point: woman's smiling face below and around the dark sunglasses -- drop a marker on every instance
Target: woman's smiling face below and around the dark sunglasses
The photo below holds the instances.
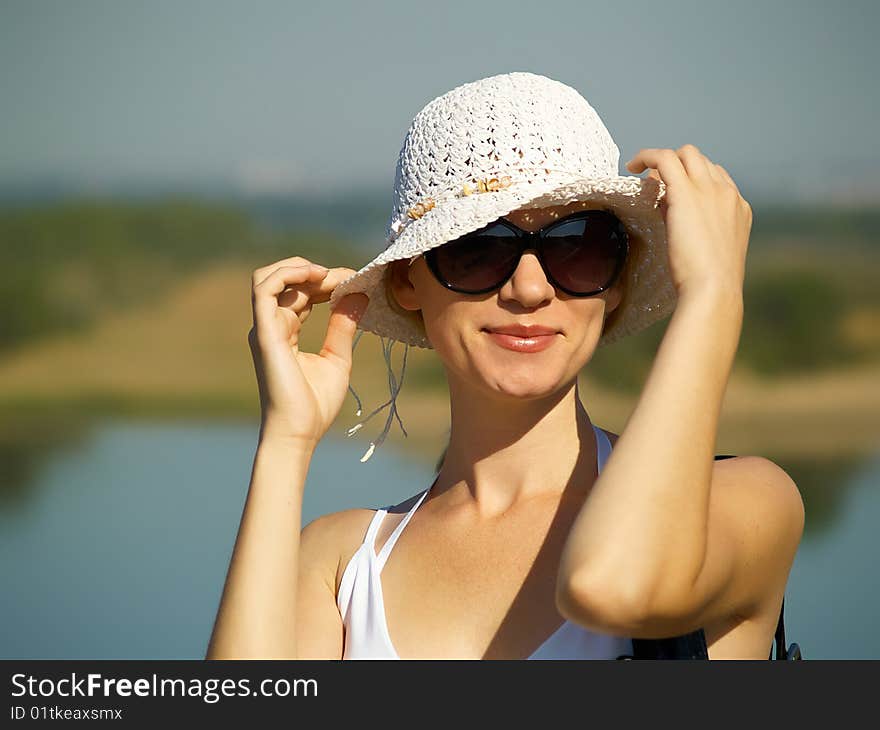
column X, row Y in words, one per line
column 457, row 324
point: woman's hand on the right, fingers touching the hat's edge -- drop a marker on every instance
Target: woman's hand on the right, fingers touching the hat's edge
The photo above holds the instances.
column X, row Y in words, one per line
column 707, row 220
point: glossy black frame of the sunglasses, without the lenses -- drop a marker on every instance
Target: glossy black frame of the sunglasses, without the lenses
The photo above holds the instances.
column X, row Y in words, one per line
column 534, row 241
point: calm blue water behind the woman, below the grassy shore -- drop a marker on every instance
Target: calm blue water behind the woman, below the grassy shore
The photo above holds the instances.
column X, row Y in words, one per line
column 117, row 546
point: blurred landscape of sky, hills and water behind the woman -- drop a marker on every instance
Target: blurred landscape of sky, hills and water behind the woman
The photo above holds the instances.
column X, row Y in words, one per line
column 153, row 154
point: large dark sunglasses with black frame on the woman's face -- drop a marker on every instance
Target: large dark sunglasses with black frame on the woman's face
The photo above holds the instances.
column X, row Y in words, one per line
column 581, row 254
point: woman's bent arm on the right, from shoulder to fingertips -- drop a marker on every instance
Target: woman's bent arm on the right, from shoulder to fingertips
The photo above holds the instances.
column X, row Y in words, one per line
column 668, row 541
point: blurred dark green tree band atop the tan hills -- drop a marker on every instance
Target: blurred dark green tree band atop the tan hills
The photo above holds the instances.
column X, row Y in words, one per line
column 64, row 265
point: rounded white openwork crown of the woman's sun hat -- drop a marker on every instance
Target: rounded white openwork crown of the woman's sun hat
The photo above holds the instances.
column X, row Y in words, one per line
column 518, row 124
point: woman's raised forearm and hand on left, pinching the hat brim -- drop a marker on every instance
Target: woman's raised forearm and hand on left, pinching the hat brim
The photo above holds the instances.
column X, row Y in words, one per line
column 301, row 394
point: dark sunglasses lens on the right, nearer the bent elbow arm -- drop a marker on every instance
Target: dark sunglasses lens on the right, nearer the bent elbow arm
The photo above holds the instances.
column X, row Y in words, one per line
column 584, row 254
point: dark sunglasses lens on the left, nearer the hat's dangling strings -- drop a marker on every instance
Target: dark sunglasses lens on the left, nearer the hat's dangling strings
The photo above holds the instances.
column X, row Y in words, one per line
column 478, row 261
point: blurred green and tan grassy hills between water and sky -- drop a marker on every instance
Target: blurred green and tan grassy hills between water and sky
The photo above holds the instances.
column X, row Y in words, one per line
column 144, row 307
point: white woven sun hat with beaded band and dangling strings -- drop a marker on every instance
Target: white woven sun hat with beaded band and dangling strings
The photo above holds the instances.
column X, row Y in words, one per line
column 492, row 146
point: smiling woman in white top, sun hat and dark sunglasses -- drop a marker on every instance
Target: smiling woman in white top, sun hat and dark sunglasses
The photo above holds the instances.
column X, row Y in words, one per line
column 539, row 538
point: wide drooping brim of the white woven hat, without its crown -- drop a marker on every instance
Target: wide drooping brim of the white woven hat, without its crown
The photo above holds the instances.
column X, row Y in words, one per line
column 648, row 294
